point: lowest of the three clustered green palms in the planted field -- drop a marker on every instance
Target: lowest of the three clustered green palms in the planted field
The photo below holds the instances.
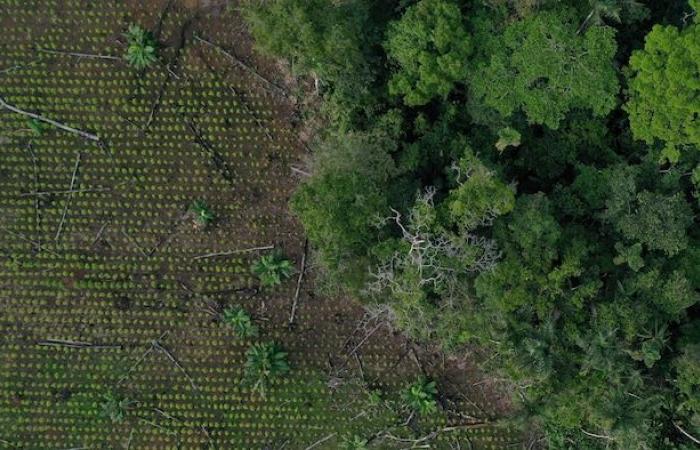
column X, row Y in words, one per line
column 265, row 363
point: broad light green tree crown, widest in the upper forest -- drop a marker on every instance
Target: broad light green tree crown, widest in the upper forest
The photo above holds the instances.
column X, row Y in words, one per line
column 540, row 66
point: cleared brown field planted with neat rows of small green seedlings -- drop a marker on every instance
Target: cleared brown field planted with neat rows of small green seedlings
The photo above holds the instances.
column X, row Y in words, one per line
column 107, row 285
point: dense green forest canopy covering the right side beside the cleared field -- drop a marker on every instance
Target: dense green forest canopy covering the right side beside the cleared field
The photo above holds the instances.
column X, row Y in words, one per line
column 523, row 175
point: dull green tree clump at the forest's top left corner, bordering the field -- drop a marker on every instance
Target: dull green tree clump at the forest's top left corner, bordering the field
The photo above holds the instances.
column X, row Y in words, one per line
column 334, row 42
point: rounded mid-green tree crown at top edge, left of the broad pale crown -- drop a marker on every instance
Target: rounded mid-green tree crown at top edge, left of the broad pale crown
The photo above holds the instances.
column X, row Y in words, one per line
column 431, row 45
